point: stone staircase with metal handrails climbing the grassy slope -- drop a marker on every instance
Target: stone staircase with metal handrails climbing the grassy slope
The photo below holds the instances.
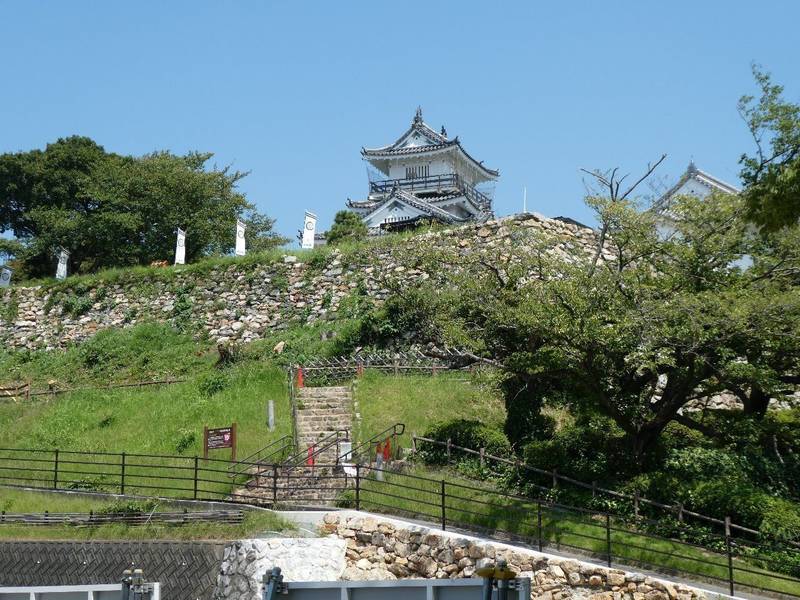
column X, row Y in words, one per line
column 321, row 412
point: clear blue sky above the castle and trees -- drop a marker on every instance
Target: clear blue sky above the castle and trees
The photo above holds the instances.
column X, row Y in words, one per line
column 292, row 90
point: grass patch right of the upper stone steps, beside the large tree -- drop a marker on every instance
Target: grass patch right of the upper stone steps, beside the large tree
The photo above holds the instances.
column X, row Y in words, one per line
column 422, row 400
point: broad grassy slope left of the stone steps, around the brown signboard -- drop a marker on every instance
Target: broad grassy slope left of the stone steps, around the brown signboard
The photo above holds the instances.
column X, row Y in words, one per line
column 159, row 420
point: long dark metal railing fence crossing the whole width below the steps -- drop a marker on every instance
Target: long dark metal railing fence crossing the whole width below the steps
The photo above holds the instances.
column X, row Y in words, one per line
column 735, row 563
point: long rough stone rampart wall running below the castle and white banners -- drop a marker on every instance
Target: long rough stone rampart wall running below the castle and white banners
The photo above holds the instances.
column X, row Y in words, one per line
column 244, row 299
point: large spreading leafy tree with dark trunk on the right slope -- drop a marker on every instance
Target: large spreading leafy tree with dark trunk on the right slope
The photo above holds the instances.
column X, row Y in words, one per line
column 653, row 324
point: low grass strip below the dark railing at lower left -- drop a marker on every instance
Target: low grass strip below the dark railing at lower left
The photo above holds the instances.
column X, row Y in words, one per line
column 255, row 522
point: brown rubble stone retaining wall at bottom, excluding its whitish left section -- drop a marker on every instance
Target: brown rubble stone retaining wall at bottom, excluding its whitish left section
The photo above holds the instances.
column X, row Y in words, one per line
column 384, row 548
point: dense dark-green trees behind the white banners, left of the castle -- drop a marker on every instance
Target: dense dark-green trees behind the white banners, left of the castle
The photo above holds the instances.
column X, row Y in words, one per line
column 110, row 210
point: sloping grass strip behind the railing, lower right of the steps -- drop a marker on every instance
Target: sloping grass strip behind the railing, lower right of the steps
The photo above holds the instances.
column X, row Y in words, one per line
column 418, row 493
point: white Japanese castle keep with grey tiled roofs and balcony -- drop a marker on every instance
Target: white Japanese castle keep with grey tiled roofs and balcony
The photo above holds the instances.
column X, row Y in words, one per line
column 423, row 177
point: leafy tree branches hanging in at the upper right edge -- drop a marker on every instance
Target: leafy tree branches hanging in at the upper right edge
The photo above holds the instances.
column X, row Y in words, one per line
column 772, row 175
